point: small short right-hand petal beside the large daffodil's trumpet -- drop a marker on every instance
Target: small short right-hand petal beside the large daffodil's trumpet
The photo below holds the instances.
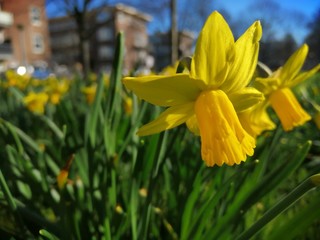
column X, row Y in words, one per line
column 245, row 98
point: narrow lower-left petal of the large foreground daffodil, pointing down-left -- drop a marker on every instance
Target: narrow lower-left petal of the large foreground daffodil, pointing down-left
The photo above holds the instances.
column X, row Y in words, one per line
column 170, row 118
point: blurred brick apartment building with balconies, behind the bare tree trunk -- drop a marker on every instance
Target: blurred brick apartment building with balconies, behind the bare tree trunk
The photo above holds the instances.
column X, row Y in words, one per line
column 108, row 21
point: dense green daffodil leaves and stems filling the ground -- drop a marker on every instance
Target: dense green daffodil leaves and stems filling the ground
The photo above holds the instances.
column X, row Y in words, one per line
column 121, row 186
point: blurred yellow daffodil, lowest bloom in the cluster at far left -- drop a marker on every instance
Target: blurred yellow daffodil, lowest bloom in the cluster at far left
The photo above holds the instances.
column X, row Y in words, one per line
column 35, row 102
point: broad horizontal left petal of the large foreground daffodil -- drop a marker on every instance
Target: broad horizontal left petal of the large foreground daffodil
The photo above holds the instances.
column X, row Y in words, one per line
column 164, row 90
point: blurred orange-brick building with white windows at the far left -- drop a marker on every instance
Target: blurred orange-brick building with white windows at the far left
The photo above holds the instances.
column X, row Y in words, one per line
column 28, row 35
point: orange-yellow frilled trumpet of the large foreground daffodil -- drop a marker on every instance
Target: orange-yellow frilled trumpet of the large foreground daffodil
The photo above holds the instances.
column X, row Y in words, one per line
column 220, row 127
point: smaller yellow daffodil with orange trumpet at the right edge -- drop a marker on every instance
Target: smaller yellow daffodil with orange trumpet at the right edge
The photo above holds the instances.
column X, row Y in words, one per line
column 277, row 89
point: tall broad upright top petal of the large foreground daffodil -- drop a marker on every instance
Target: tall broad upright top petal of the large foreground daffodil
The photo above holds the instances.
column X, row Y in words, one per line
column 211, row 53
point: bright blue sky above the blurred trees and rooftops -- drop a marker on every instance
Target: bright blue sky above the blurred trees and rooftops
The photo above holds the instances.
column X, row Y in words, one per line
column 285, row 15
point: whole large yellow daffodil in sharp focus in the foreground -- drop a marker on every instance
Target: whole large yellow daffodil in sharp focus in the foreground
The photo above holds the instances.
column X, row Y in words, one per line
column 210, row 95
